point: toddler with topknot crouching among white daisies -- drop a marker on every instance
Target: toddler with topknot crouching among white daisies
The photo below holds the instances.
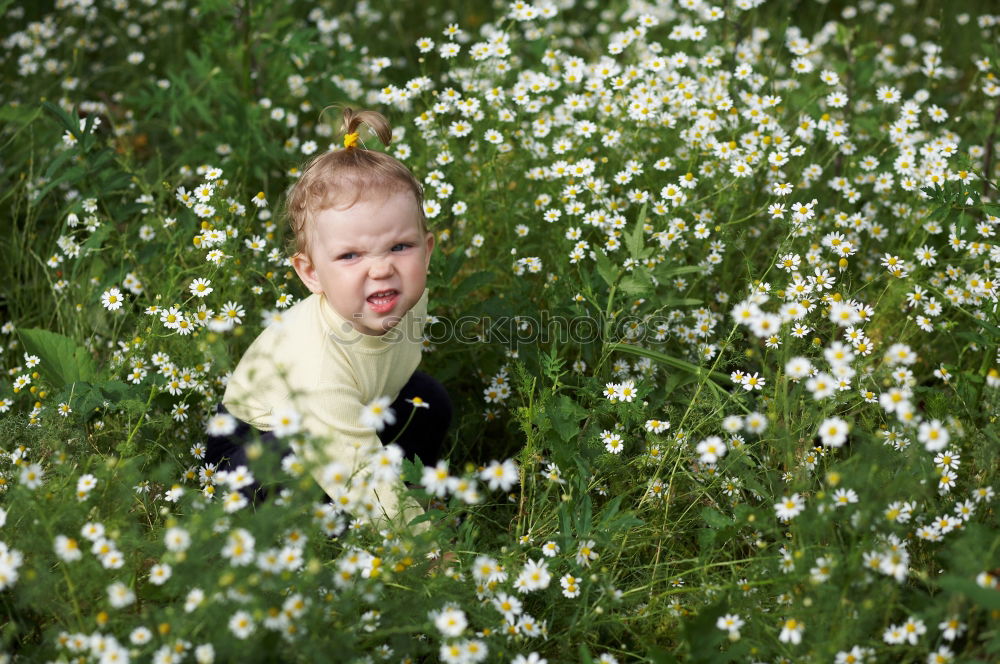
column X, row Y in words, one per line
column 362, row 248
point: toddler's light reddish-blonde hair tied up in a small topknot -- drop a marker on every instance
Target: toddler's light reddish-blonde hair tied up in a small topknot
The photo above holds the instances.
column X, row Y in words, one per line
column 340, row 177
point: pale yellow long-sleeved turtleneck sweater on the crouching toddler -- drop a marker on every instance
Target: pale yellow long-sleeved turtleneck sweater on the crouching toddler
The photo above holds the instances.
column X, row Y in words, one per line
column 316, row 363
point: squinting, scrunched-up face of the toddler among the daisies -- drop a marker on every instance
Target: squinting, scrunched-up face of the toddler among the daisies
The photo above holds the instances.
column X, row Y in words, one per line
column 369, row 261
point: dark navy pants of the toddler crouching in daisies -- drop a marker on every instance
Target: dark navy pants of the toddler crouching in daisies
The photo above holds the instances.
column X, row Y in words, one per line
column 423, row 437
